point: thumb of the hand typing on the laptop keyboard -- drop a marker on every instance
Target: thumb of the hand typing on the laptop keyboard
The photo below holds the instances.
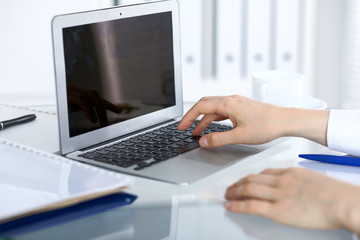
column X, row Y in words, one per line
column 218, row 139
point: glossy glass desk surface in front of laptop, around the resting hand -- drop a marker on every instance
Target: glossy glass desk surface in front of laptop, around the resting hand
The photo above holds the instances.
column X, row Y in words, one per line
column 167, row 211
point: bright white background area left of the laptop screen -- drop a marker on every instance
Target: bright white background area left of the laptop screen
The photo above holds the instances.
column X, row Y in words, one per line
column 26, row 62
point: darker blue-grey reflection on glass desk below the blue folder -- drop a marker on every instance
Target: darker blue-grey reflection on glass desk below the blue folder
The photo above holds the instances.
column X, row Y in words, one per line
column 130, row 223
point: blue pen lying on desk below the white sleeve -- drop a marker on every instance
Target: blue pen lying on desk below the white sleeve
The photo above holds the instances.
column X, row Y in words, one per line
column 333, row 159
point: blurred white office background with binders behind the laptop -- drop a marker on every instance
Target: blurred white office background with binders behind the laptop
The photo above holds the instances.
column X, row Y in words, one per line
column 223, row 43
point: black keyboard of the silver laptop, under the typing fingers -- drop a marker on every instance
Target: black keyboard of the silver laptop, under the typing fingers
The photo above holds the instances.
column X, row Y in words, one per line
column 152, row 147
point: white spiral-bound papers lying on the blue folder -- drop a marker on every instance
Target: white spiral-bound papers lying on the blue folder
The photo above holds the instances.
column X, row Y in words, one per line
column 33, row 181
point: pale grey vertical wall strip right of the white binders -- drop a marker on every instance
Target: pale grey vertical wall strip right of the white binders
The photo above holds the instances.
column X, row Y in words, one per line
column 329, row 51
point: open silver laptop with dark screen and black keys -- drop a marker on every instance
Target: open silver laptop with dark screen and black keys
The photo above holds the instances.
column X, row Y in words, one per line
column 119, row 95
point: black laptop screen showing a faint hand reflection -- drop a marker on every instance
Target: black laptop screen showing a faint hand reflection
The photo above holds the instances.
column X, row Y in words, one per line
column 118, row 70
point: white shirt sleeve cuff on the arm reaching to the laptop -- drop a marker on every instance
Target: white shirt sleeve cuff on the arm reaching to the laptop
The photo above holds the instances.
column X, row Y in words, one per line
column 343, row 133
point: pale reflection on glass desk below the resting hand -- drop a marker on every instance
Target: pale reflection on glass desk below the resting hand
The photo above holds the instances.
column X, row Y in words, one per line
column 208, row 220
